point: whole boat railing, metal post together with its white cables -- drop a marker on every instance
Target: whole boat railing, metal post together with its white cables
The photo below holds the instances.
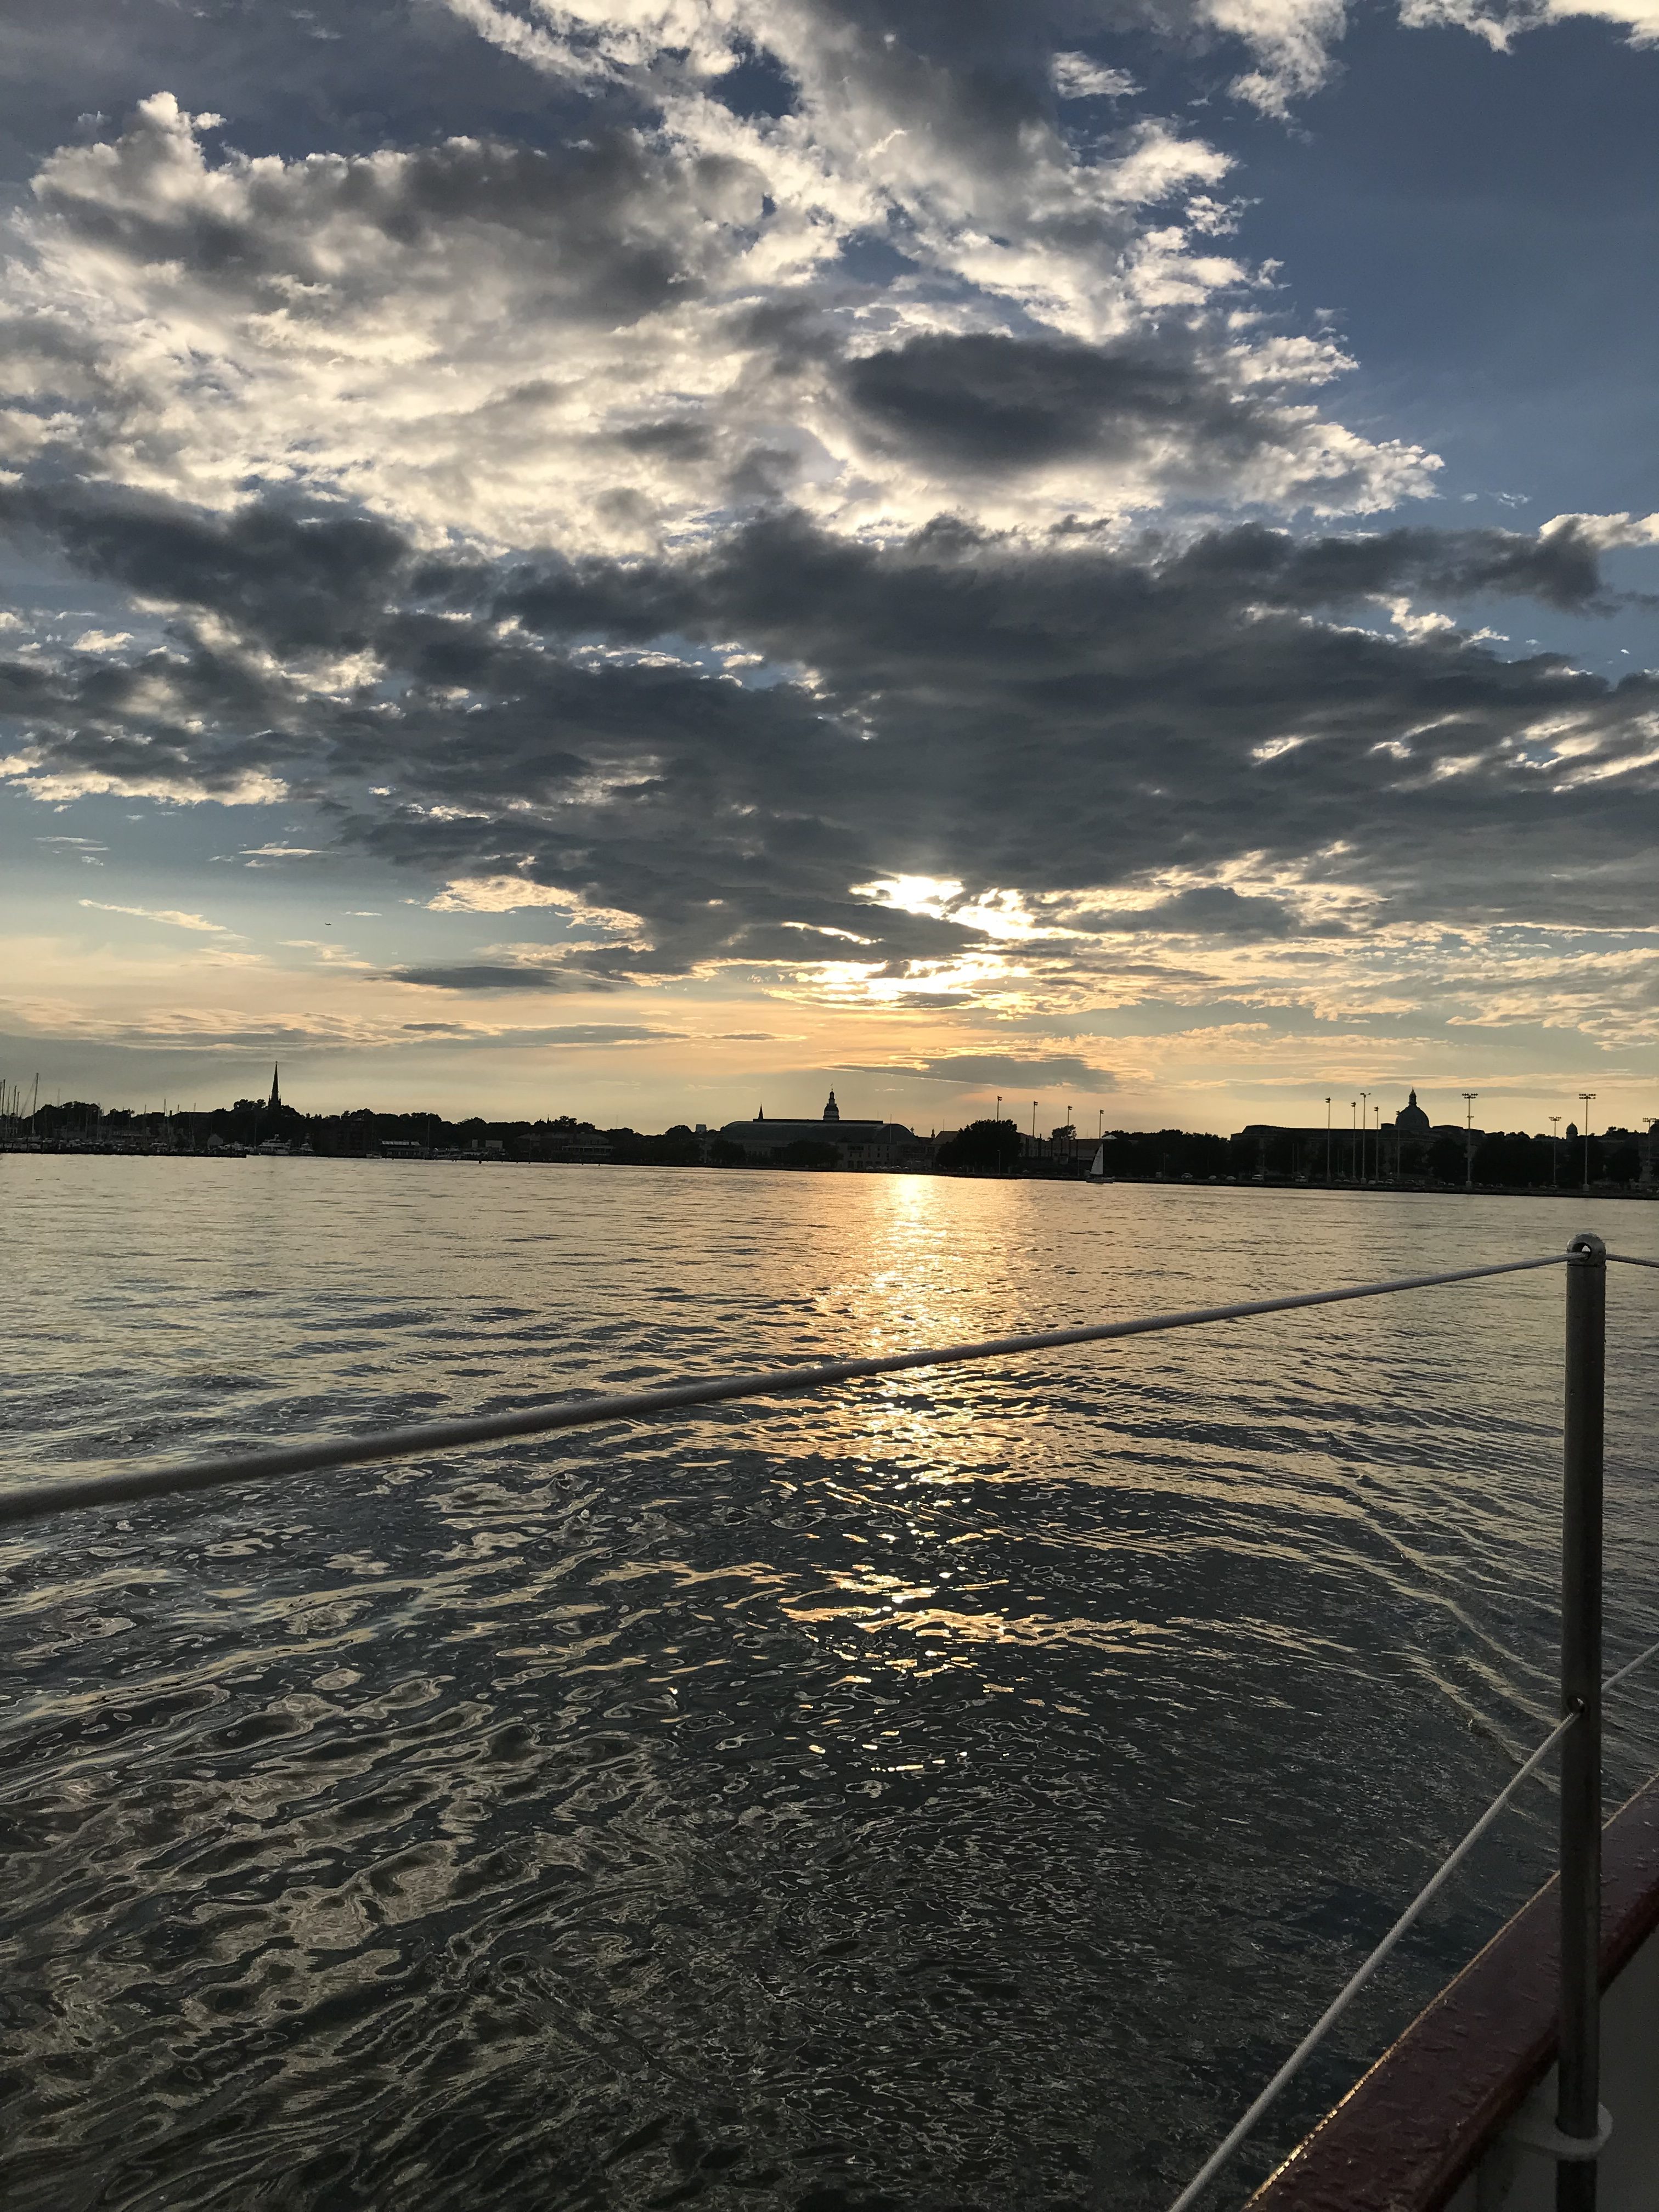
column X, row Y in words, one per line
column 1580, row 2122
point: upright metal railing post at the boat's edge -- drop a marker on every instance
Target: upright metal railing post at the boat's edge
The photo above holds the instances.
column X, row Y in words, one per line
column 1580, row 2036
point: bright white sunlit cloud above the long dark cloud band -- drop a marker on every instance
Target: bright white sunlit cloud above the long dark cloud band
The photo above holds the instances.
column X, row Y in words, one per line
column 625, row 335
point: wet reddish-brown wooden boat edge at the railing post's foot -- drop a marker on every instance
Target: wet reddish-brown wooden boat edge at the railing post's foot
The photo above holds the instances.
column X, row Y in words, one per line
column 1412, row 2129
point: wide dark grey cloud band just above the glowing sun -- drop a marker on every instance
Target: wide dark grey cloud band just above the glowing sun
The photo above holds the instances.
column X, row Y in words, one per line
column 979, row 711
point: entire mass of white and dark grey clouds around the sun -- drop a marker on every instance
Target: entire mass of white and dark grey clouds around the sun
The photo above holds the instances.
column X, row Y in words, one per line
column 789, row 452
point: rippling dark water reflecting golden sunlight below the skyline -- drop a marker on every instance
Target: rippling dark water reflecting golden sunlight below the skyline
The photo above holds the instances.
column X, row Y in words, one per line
column 952, row 1793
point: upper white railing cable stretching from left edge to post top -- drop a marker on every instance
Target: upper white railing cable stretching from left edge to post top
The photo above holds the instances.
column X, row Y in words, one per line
column 34, row 1501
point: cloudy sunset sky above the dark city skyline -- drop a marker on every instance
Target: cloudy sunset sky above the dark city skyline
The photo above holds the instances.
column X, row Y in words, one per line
column 649, row 559
